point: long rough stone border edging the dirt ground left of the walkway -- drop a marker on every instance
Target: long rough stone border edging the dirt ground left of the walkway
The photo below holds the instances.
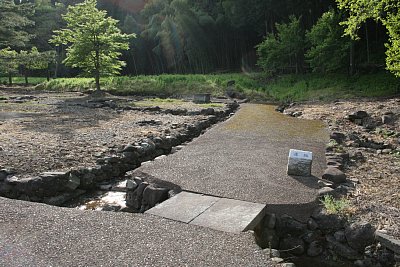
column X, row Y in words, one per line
column 56, row 188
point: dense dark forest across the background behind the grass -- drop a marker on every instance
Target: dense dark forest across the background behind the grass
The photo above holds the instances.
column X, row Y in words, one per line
column 204, row 36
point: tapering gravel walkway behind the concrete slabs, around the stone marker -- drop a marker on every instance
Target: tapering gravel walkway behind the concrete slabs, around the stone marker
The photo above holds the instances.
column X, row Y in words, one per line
column 245, row 159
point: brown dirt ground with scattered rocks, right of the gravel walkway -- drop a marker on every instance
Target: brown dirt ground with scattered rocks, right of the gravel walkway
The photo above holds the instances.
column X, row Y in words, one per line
column 377, row 195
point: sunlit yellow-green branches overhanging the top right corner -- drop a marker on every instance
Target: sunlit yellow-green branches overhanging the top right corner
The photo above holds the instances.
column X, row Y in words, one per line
column 384, row 11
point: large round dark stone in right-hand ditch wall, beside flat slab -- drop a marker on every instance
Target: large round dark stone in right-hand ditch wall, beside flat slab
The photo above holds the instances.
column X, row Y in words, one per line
column 359, row 235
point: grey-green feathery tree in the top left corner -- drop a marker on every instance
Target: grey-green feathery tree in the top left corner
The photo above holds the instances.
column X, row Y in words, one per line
column 14, row 21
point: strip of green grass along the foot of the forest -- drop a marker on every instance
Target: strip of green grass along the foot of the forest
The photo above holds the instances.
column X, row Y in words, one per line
column 256, row 87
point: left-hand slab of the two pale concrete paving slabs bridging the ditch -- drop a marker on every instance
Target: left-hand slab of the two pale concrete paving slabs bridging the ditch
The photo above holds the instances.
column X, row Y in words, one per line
column 183, row 207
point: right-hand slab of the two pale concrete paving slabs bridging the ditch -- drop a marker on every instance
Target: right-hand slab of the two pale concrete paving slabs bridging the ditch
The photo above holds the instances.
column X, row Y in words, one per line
column 231, row 215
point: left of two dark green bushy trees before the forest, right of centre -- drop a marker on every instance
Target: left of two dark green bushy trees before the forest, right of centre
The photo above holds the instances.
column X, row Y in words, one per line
column 284, row 51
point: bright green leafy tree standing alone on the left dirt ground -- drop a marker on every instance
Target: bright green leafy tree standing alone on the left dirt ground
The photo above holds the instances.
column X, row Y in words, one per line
column 94, row 40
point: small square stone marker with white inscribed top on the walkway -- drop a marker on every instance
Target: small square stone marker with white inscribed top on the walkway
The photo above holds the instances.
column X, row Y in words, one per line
column 299, row 163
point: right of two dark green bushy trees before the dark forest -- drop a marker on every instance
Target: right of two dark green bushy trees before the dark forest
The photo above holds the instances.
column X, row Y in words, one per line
column 329, row 51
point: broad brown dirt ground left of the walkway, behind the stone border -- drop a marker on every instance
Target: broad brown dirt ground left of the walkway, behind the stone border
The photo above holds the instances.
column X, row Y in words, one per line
column 43, row 131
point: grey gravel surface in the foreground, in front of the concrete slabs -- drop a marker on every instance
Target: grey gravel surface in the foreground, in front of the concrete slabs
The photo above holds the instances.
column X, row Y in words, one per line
column 35, row 234
